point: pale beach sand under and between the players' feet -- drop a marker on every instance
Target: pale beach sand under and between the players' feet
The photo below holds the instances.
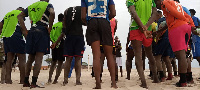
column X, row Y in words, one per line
column 89, row 82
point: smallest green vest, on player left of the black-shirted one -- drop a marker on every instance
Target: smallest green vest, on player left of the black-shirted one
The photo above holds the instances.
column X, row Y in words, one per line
column 56, row 31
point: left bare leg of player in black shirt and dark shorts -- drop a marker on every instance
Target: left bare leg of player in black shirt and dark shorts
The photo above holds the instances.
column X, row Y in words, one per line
column 67, row 66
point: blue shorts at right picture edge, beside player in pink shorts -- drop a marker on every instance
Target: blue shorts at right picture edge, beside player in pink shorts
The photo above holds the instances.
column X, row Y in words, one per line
column 196, row 49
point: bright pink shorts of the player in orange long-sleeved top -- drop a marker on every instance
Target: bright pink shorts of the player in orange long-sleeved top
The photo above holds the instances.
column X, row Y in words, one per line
column 179, row 37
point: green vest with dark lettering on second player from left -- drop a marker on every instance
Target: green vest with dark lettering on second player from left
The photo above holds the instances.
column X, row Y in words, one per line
column 36, row 11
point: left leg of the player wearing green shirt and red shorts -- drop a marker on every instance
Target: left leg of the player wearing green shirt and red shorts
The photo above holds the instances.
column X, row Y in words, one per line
column 138, row 61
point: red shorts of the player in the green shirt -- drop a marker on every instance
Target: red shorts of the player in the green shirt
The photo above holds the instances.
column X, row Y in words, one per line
column 138, row 35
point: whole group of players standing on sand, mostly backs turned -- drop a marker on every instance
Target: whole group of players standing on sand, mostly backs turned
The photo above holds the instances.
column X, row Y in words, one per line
column 160, row 39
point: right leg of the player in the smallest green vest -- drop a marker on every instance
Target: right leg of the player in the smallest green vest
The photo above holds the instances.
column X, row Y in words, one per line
column 58, row 71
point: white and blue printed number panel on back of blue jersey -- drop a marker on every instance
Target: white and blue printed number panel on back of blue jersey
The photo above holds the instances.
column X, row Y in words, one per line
column 97, row 8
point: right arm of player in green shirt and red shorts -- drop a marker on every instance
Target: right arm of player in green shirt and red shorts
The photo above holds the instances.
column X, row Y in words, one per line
column 152, row 18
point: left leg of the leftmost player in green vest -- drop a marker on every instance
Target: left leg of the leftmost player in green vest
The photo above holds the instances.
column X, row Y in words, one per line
column 10, row 58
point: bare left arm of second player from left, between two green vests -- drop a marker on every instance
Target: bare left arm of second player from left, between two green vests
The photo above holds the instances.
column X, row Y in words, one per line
column 21, row 17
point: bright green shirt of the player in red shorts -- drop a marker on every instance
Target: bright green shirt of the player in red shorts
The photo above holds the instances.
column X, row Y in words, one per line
column 143, row 10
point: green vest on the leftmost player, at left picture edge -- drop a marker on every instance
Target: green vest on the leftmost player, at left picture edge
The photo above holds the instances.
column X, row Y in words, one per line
column 10, row 23
